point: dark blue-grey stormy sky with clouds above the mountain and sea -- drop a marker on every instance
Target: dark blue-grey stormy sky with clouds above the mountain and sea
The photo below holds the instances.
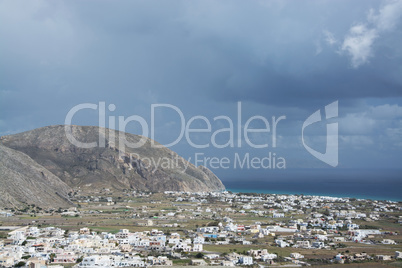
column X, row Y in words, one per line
column 207, row 58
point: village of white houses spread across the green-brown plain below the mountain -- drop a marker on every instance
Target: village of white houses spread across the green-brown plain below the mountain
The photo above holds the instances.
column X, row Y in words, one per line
column 138, row 229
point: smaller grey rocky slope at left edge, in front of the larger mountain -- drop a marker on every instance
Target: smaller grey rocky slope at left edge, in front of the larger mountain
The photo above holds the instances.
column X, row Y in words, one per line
column 22, row 180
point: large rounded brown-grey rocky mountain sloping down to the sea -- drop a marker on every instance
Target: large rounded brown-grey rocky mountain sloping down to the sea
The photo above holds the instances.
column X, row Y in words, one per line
column 143, row 168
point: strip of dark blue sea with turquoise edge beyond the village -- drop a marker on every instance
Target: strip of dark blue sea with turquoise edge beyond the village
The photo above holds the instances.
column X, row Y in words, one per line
column 374, row 184
